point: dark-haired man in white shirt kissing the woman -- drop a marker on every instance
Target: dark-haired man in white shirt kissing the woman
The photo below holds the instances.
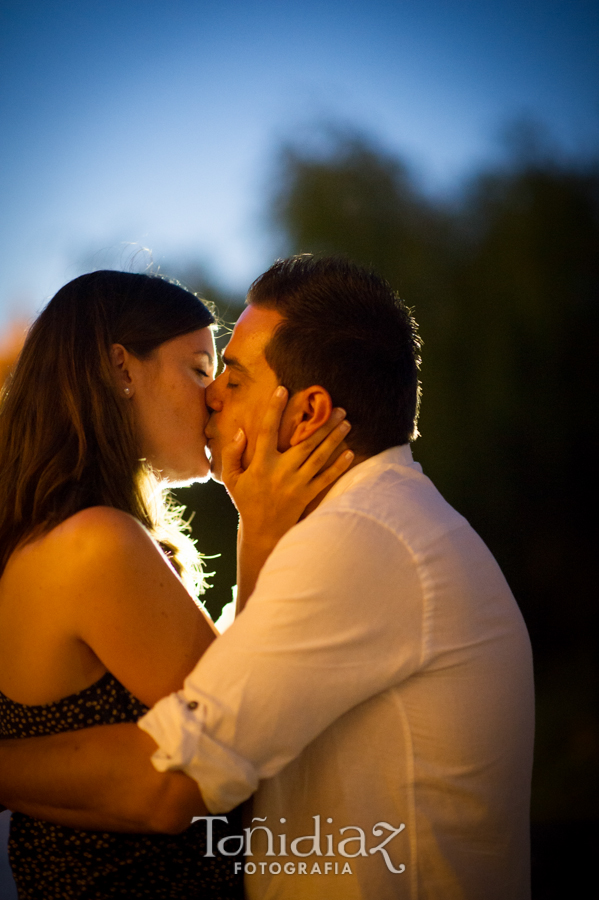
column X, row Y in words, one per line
column 375, row 695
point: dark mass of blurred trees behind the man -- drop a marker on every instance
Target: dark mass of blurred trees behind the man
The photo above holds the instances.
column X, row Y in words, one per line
column 505, row 286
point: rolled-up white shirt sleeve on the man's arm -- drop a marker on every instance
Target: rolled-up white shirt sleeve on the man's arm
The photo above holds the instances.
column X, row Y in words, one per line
column 316, row 638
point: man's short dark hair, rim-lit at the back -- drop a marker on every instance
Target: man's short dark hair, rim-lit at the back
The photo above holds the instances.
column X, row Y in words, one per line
column 345, row 329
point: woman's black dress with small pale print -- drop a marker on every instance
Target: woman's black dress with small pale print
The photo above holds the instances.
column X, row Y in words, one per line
column 52, row 861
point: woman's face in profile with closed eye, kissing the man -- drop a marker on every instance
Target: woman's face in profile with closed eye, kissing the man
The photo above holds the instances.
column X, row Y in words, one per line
column 166, row 391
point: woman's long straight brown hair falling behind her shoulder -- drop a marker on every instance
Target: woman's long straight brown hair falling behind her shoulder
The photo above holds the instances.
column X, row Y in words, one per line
column 67, row 440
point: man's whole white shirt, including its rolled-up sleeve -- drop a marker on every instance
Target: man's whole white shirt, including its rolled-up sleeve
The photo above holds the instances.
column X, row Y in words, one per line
column 380, row 676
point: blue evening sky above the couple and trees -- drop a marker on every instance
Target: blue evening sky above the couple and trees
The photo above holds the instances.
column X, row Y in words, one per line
column 157, row 124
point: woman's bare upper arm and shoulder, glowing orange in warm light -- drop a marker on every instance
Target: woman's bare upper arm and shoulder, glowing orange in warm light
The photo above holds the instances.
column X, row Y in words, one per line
column 109, row 586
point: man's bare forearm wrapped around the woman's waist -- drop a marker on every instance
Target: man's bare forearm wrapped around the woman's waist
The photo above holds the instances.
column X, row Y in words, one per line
column 97, row 778
